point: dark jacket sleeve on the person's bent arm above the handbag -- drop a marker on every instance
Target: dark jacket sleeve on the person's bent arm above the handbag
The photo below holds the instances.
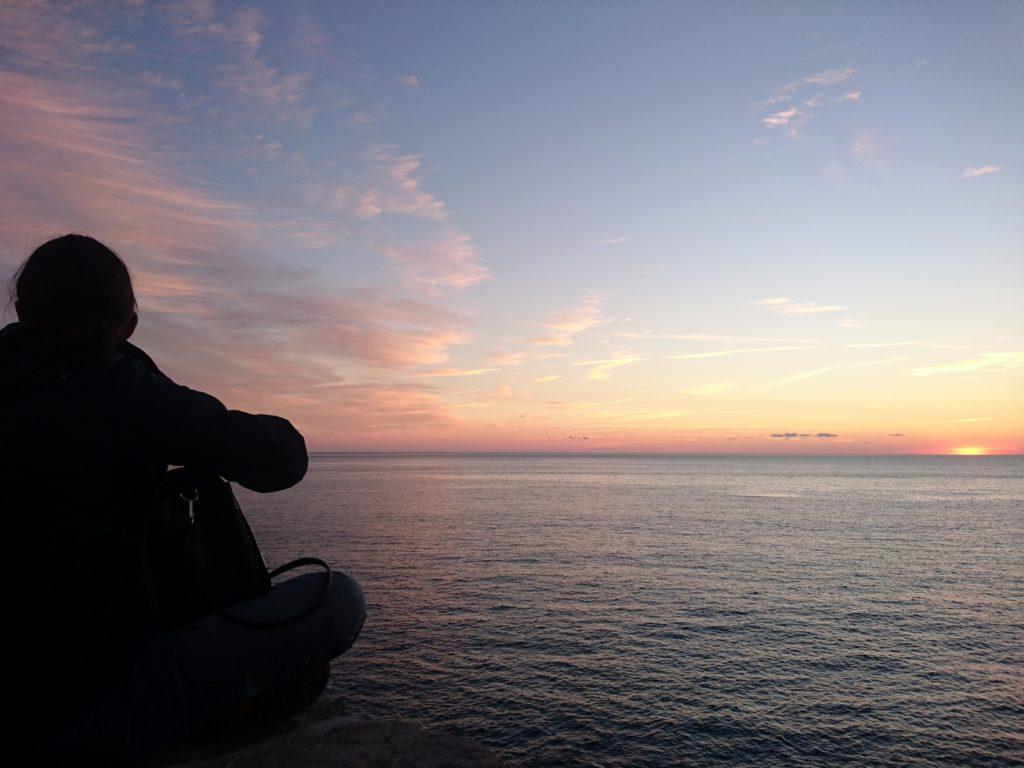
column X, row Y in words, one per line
column 173, row 424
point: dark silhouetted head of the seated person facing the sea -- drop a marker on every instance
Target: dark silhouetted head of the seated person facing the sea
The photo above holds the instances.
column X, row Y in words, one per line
column 80, row 290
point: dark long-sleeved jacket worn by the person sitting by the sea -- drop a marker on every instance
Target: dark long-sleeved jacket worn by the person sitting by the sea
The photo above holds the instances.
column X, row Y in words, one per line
column 80, row 454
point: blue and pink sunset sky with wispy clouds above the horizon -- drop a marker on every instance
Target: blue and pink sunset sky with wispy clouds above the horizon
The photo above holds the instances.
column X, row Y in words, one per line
column 739, row 228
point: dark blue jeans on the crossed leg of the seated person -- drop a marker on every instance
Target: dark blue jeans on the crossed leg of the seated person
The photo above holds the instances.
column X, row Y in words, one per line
column 203, row 672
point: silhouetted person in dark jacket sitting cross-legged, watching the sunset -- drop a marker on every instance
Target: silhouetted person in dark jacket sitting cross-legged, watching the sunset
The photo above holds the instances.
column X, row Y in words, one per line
column 90, row 424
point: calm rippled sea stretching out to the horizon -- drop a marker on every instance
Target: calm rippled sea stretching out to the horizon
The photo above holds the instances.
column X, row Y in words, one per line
column 680, row 611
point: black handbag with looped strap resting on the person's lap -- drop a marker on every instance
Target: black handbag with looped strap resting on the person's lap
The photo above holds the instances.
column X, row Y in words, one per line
column 200, row 557
